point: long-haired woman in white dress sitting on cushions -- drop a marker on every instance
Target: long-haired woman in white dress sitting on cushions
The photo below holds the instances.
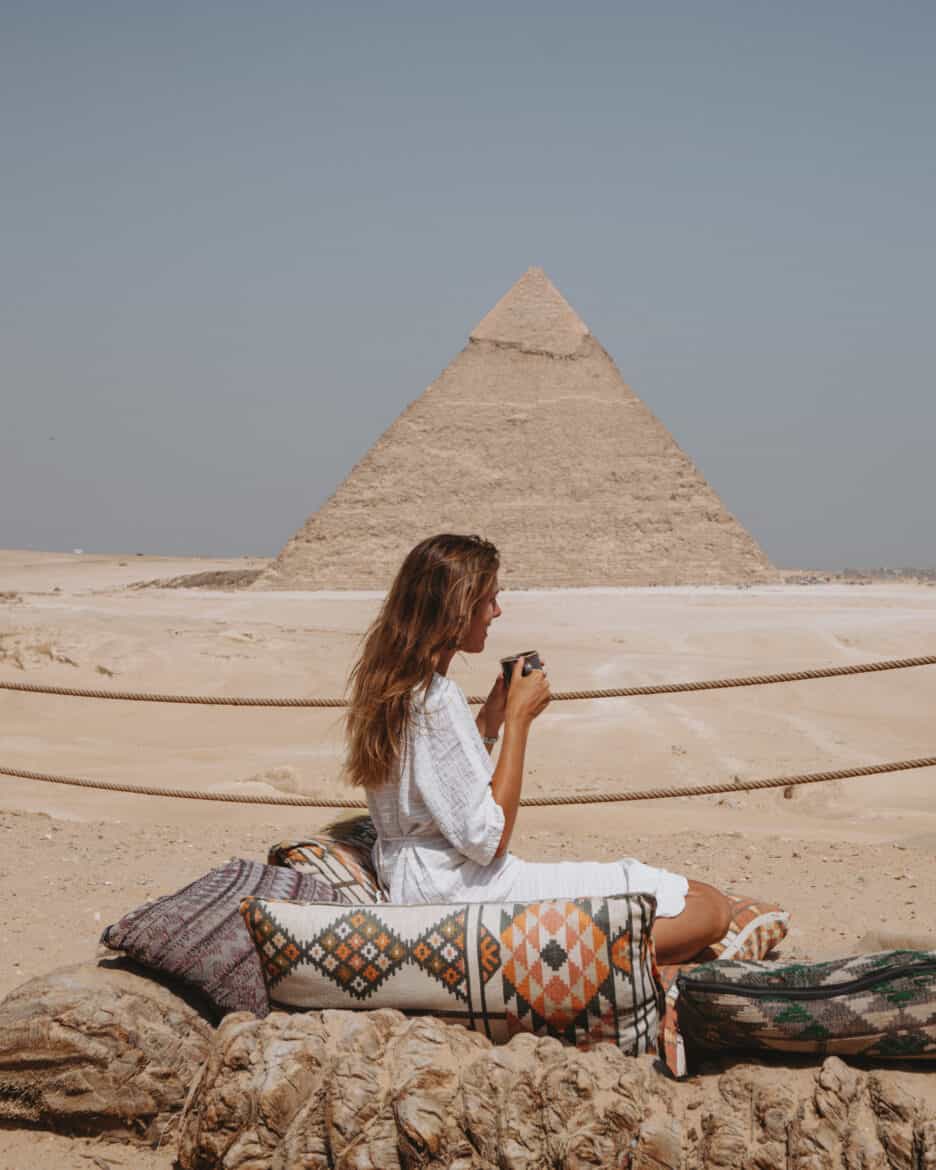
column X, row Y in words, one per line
column 444, row 814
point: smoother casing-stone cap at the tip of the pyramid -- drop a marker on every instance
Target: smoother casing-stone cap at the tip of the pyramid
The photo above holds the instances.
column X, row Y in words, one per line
column 534, row 316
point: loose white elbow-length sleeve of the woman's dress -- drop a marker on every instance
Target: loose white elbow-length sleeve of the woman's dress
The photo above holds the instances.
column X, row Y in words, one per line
column 453, row 776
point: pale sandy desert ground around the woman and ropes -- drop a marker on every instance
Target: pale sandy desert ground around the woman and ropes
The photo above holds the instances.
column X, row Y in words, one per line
column 852, row 861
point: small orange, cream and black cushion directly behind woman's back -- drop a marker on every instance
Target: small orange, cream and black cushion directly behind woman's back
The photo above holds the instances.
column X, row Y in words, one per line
column 341, row 856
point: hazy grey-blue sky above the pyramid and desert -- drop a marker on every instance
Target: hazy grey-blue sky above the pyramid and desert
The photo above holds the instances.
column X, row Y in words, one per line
column 238, row 239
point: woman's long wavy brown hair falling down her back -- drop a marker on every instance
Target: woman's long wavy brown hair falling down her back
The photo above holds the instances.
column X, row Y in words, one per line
column 424, row 617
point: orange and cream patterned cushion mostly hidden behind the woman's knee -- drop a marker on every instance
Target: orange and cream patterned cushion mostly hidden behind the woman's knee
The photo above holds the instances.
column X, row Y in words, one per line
column 755, row 930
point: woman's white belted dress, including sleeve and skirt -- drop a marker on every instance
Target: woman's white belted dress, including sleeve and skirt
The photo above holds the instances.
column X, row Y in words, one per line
column 439, row 825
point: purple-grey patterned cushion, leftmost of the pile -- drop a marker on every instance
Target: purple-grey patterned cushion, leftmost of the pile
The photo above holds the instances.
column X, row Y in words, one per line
column 197, row 934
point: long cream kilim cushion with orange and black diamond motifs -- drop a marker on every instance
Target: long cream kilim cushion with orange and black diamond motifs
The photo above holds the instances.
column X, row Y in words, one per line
column 579, row 971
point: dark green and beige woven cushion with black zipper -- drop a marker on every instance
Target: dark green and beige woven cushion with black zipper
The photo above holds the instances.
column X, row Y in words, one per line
column 872, row 1006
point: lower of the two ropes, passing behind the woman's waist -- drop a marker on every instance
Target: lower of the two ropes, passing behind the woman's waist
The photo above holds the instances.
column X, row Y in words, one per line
column 664, row 794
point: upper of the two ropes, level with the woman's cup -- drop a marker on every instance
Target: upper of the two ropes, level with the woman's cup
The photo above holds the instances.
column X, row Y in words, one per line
column 667, row 689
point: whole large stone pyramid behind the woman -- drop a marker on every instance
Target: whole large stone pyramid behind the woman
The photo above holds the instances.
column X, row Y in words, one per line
column 532, row 439
